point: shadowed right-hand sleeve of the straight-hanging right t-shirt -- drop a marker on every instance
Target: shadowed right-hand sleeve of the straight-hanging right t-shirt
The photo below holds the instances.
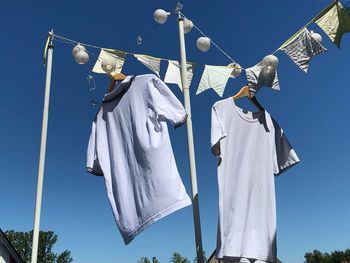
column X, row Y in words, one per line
column 284, row 154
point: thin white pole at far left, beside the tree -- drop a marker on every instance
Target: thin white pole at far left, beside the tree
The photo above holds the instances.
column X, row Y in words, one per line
column 39, row 189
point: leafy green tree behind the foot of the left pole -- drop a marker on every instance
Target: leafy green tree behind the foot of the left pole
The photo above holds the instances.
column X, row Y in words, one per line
column 22, row 242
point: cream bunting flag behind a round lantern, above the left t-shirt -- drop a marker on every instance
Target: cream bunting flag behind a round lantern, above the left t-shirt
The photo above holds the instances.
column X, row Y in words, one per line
column 118, row 56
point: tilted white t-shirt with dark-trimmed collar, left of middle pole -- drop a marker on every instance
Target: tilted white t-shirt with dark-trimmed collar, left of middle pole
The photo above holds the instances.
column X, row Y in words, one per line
column 130, row 146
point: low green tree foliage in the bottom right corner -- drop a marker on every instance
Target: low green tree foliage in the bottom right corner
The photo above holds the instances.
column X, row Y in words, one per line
column 334, row 257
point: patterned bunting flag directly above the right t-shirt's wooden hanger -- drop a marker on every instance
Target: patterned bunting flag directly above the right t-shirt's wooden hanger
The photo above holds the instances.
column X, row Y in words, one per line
column 261, row 76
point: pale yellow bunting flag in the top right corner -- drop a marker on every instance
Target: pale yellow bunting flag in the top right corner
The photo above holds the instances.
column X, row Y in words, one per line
column 334, row 22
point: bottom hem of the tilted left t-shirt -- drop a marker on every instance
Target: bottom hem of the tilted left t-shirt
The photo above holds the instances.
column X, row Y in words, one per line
column 156, row 217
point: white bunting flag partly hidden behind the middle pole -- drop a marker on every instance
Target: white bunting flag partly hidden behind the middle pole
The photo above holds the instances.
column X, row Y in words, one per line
column 173, row 74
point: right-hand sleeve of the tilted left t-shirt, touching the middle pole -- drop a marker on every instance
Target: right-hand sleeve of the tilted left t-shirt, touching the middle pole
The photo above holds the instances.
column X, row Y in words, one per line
column 167, row 105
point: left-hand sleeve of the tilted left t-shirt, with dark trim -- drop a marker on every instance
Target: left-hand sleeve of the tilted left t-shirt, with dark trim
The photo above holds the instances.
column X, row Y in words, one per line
column 92, row 162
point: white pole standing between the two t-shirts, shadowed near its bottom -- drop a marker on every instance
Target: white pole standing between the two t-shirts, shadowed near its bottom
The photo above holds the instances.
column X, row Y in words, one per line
column 186, row 91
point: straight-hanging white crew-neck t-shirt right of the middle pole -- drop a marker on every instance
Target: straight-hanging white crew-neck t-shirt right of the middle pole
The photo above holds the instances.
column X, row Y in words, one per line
column 251, row 148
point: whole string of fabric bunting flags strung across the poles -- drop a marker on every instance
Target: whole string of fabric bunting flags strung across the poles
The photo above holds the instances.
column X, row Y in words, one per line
column 334, row 20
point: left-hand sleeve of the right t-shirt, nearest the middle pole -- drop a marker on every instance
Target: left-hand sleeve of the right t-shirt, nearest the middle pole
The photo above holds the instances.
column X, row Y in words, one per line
column 217, row 131
